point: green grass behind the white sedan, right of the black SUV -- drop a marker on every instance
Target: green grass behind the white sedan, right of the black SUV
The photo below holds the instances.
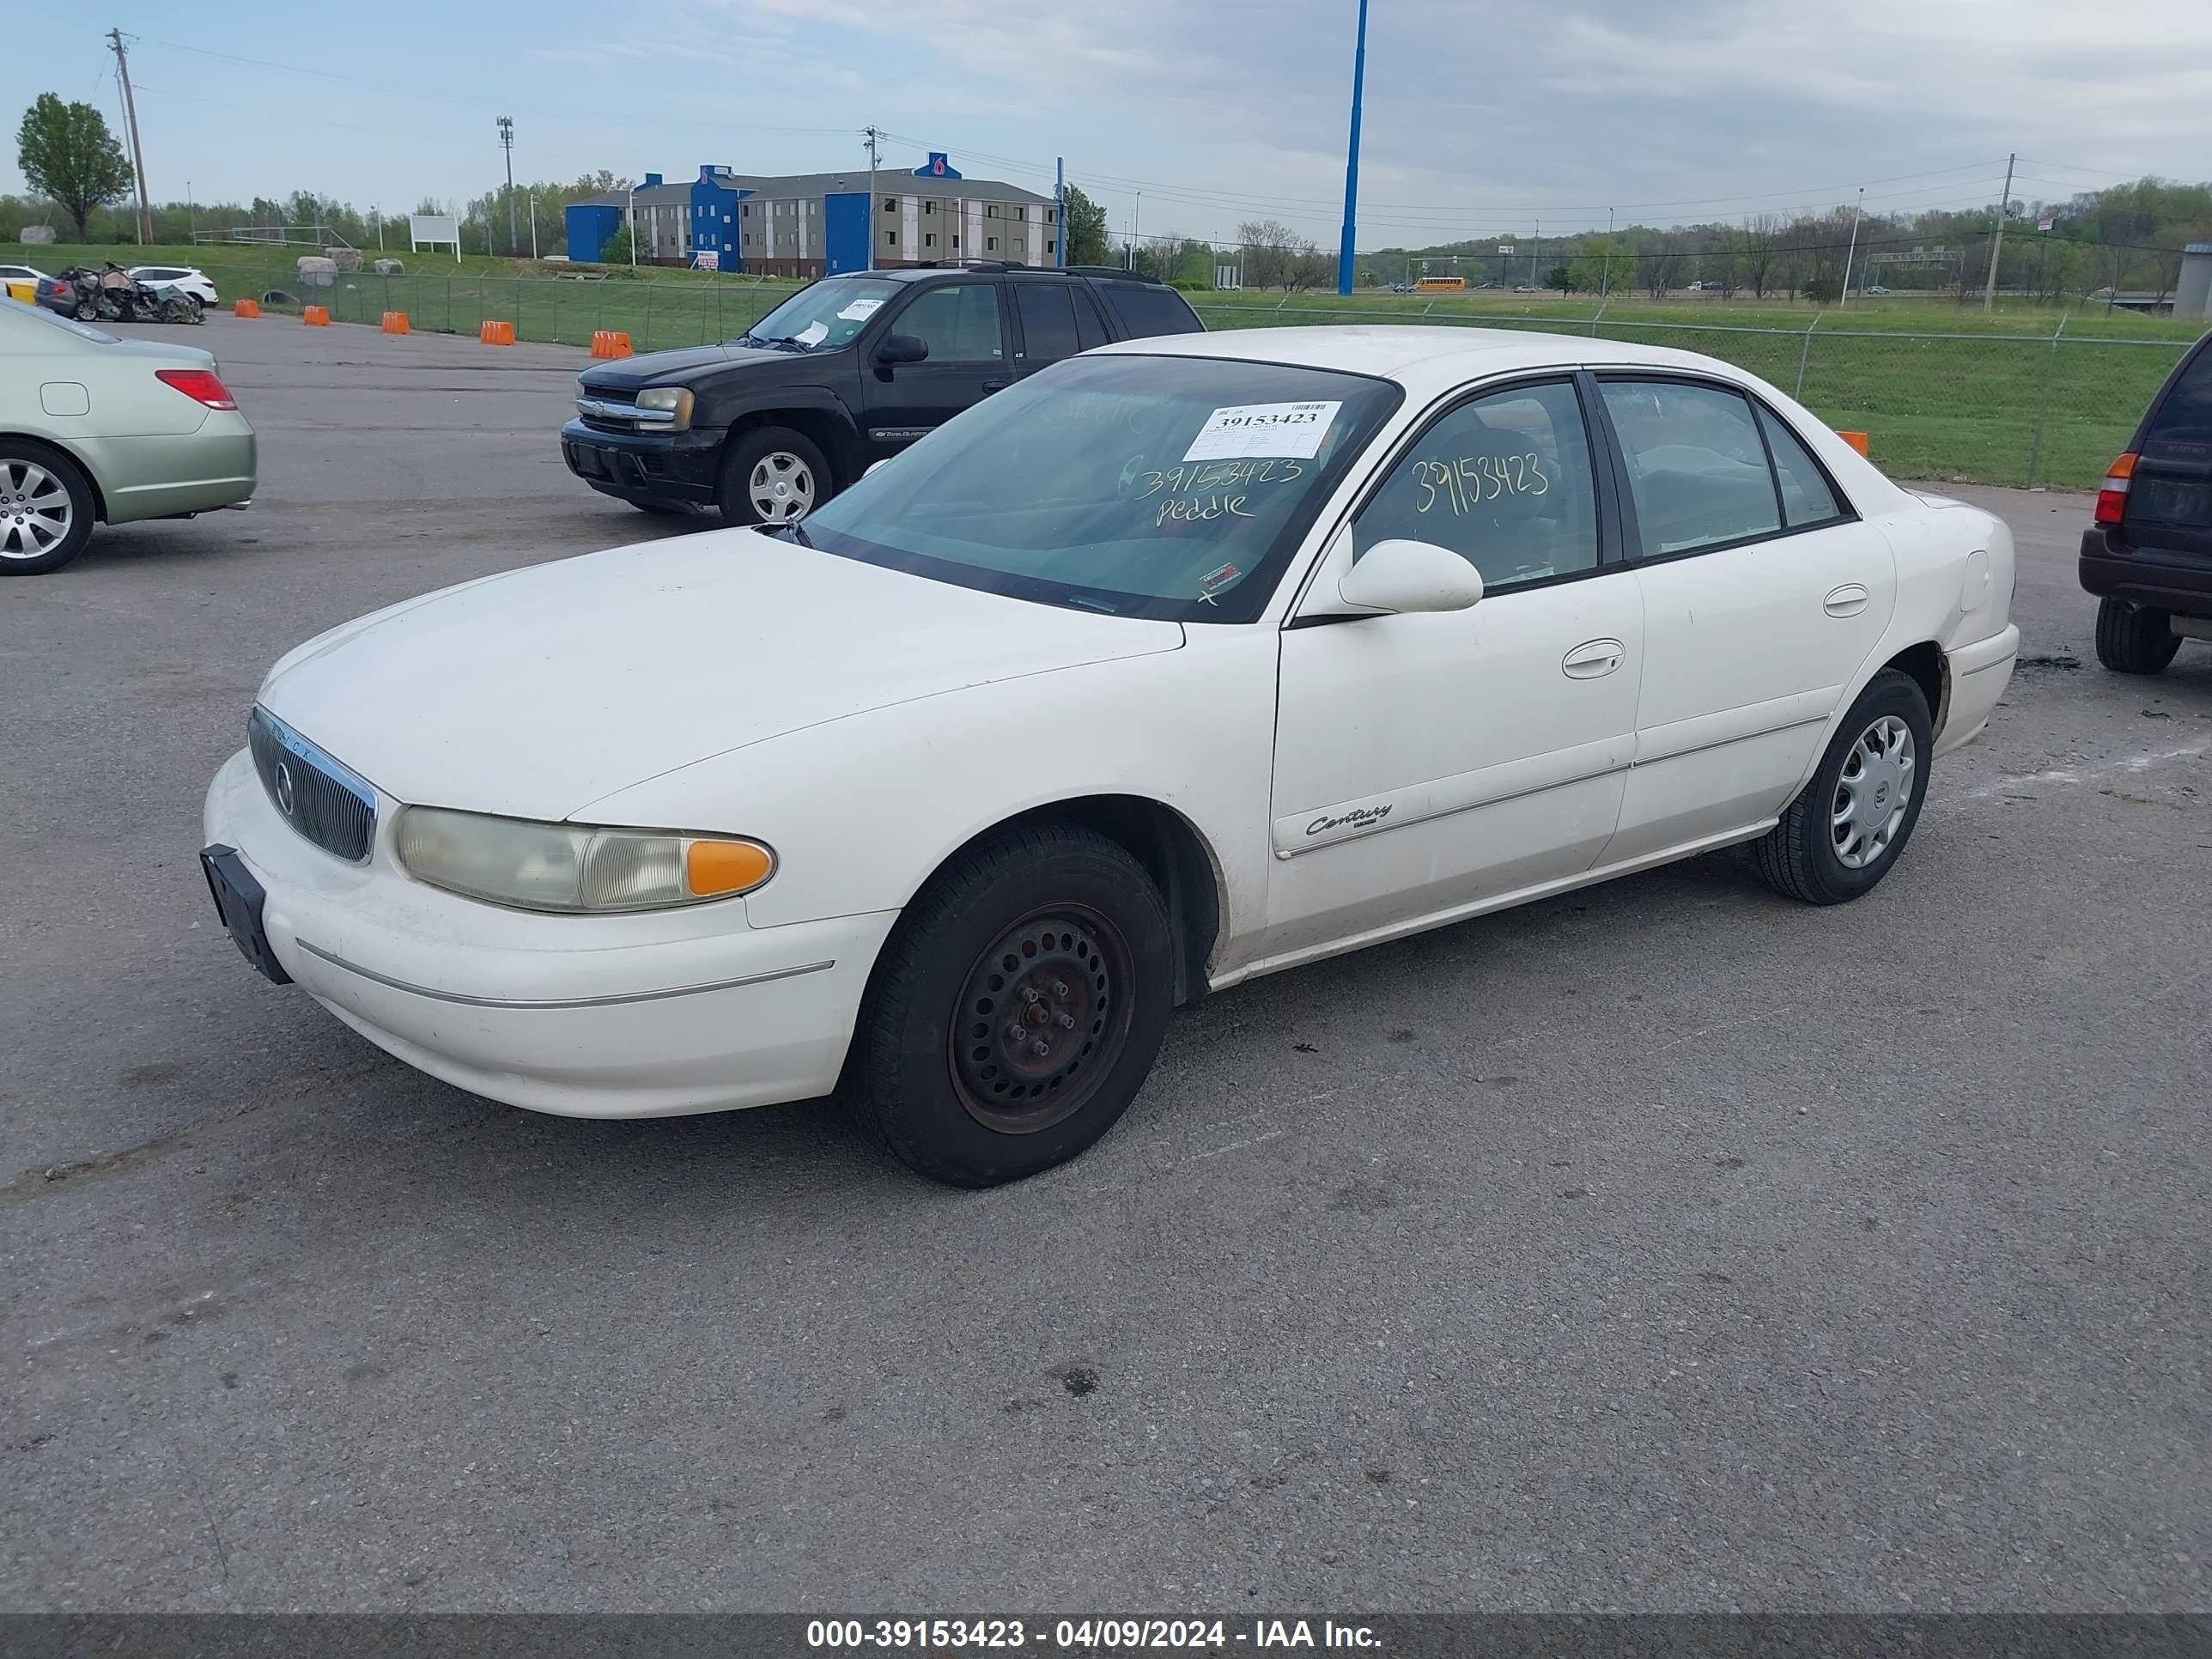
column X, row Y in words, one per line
column 1970, row 408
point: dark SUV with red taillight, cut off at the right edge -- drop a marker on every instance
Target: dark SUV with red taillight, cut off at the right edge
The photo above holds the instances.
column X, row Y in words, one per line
column 2149, row 556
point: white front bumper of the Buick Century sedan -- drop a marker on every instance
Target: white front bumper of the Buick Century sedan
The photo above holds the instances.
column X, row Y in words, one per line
column 583, row 1016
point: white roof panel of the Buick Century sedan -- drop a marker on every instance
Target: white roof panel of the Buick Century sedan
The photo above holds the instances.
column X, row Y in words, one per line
column 1421, row 357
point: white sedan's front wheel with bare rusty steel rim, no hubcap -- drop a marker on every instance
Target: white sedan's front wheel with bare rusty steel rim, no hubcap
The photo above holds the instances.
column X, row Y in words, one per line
column 943, row 1054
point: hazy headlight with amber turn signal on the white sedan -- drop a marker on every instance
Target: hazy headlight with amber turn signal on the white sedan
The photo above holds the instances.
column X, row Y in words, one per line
column 576, row 866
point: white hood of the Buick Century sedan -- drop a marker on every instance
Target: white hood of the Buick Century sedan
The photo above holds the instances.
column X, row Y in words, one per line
column 541, row 691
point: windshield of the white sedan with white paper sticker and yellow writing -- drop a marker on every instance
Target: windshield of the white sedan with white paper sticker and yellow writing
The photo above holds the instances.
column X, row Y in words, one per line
column 1136, row 486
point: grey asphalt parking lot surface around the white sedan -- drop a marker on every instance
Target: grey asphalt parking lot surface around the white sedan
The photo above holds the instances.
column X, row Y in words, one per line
column 1662, row 1246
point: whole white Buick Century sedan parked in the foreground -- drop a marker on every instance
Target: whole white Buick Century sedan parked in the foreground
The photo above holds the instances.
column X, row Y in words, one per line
column 1173, row 665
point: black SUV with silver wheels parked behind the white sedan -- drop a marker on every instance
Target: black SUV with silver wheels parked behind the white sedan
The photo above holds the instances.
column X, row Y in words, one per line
column 839, row 377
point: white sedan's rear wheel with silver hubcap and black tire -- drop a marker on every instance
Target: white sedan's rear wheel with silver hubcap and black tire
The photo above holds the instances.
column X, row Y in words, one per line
column 1802, row 857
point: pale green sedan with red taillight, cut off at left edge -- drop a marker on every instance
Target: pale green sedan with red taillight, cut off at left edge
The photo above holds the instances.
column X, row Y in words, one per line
column 107, row 430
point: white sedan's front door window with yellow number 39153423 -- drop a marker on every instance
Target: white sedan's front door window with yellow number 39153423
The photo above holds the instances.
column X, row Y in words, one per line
column 1503, row 481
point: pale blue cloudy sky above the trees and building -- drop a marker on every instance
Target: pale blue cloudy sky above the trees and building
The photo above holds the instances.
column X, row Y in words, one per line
column 1479, row 116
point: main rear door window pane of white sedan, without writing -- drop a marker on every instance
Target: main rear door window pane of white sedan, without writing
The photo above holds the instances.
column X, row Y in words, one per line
column 1695, row 466
